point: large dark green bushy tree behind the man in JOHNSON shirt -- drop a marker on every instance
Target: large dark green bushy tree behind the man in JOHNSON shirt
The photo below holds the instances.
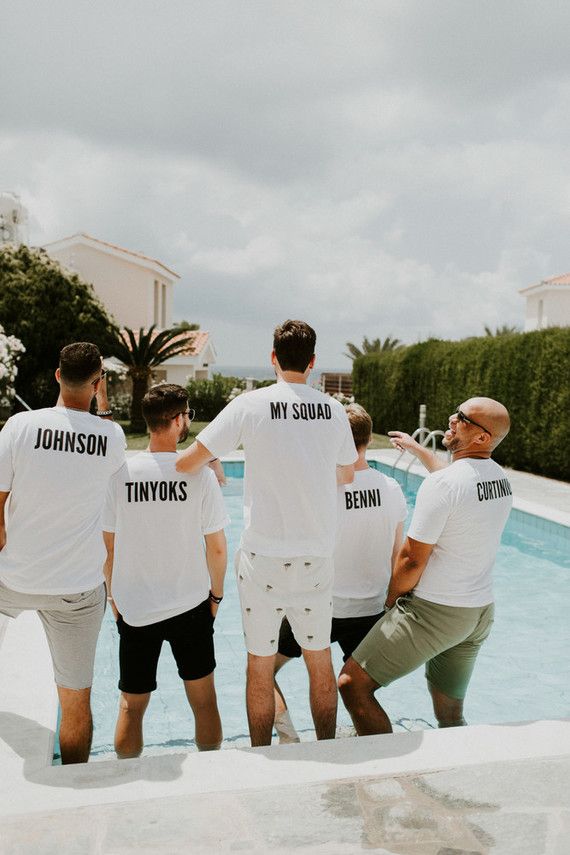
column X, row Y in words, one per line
column 47, row 308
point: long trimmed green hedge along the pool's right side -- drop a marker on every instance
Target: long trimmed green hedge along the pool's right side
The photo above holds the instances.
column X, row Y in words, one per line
column 528, row 372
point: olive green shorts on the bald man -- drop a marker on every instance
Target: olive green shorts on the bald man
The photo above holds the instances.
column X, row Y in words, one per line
column 415, row 632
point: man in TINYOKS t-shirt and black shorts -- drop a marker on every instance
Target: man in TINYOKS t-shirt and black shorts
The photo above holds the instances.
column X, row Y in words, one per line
column 165, row 571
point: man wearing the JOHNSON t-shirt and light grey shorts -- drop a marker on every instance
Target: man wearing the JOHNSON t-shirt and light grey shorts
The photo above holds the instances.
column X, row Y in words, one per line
column 55, row 464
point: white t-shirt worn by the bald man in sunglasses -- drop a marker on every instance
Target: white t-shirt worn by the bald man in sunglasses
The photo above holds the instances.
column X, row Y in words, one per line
column 463, row 510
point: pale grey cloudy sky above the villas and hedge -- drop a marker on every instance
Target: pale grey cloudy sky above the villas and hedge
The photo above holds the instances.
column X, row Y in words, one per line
column 393, row 167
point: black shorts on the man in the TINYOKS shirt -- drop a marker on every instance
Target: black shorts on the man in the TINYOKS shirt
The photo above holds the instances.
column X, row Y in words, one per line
column 191, row 637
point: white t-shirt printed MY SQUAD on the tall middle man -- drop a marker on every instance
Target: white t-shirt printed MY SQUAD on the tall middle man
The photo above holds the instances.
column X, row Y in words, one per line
column 293, row 437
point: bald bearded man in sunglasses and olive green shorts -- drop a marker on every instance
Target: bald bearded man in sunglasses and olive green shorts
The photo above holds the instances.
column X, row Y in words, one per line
column 439, row 607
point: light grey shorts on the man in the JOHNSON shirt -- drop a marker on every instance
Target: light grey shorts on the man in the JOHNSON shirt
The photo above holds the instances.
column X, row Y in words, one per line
column 71, row 623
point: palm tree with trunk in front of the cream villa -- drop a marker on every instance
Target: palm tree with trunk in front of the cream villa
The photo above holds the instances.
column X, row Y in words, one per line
column 141, row 352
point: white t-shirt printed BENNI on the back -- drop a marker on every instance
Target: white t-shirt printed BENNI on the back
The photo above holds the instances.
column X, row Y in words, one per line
column 369, row 511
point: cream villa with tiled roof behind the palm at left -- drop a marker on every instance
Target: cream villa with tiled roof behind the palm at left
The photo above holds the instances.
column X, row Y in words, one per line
column 138, row 291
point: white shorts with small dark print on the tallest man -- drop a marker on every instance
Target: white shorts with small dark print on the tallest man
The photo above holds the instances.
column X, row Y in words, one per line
column 271, row 588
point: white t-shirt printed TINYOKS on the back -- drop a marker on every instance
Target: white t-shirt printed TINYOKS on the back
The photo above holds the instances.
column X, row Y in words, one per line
column 159, row 517
